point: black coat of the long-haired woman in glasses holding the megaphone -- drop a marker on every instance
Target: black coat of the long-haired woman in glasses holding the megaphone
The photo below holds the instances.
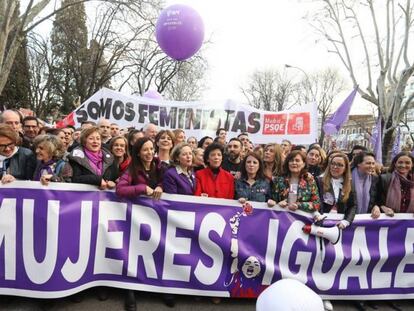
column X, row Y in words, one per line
column 347, row 208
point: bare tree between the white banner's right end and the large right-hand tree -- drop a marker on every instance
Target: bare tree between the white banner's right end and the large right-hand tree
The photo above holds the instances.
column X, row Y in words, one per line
column 322, row 87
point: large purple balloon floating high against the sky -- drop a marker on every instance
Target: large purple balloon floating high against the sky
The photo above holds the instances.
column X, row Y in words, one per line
column 180, row 31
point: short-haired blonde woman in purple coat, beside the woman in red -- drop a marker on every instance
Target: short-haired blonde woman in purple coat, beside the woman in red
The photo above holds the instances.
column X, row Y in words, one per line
column 179, row 178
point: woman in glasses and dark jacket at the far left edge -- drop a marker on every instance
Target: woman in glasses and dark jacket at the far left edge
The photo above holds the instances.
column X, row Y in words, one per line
column 15, row 162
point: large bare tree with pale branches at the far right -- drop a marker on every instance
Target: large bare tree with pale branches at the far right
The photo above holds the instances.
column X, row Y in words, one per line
column 373, row 35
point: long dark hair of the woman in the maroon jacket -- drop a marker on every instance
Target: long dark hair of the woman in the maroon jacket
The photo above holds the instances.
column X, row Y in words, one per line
column 136, row 163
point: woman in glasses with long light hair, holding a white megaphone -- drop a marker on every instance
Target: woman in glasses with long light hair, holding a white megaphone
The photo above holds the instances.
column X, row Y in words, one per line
column 335, row 190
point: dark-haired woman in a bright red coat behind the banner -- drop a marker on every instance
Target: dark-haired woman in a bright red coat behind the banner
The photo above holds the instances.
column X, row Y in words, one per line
column 213, row 181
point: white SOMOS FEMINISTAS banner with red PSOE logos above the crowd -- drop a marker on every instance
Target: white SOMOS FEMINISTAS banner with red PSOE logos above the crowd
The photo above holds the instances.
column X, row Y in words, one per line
column 200, row 118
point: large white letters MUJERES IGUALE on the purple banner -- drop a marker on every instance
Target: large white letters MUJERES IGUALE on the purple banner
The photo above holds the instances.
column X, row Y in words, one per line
column 360, row 266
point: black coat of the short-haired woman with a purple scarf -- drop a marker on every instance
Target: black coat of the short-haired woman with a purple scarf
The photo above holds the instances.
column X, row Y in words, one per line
column 83, row 173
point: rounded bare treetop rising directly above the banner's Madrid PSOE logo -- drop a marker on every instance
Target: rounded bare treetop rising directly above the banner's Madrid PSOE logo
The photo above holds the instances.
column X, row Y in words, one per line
column 270, row 90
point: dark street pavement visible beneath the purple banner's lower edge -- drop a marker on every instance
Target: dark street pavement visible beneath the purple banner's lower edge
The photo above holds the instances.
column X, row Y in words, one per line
column 153, row 302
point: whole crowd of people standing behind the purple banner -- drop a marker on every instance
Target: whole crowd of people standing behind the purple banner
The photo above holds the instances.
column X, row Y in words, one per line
column 150, row 162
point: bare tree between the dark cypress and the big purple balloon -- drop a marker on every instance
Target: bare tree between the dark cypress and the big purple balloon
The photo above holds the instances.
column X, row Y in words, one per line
column 110, row 50
